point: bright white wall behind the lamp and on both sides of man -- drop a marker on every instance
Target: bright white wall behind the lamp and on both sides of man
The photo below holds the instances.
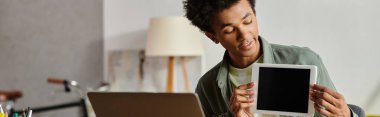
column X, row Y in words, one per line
column 342, row 32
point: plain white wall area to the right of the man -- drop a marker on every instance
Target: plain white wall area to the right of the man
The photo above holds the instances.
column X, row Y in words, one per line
column 344, row 33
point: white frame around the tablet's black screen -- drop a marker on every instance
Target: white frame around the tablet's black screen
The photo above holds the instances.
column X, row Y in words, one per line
column 255, row 79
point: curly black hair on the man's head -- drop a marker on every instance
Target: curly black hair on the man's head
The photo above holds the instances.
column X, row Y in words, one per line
column 202, row 12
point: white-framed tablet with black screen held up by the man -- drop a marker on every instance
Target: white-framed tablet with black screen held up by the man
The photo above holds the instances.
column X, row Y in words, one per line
column 283, row 89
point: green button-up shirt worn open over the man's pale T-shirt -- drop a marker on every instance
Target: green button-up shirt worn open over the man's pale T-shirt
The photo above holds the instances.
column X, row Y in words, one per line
column 214, row 88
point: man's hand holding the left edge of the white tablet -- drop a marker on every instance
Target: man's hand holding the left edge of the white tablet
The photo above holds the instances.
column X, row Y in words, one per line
column 242, row 100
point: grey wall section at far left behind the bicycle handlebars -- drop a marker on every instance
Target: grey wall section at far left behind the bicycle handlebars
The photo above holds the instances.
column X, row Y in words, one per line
column 43, row 38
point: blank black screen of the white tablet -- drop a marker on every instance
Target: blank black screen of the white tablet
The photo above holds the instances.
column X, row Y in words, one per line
column 283, row 89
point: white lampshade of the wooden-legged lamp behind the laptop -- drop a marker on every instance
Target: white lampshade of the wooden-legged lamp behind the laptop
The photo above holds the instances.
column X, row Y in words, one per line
column 173, row 36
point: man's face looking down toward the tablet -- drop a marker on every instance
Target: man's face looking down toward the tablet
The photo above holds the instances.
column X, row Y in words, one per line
column 237, row 31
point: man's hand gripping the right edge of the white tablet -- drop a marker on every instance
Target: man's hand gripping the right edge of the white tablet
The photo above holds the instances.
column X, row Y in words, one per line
column 329, row 102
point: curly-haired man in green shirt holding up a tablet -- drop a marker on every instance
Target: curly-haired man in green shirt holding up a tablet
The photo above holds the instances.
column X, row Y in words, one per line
column 224, row 90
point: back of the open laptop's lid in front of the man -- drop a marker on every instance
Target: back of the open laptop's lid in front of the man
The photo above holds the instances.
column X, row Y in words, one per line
column 128, row 104
